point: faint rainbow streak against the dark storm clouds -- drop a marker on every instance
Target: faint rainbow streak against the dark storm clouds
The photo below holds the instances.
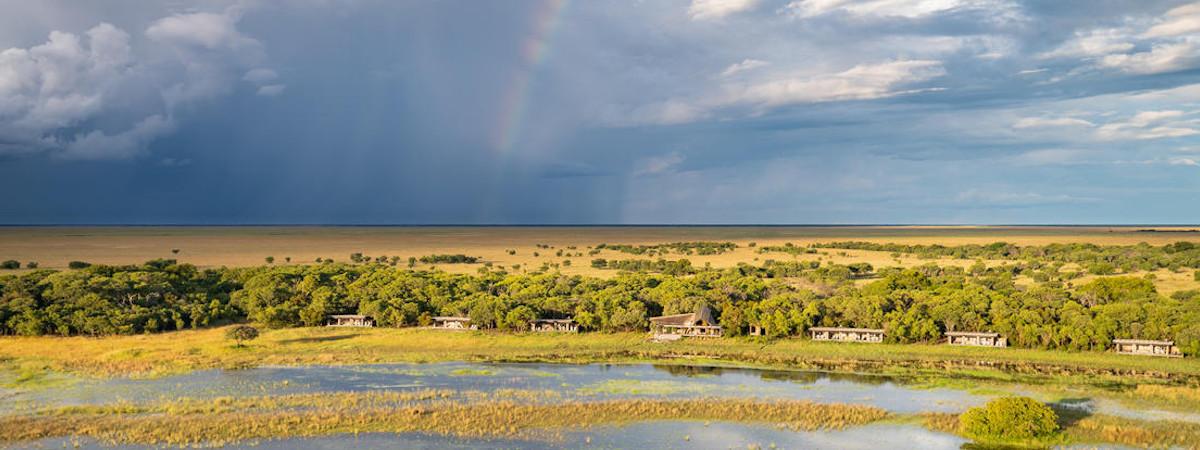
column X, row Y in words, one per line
column 535, row 52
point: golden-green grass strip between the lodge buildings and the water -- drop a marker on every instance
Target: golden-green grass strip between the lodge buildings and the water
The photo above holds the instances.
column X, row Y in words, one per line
column 147, row 356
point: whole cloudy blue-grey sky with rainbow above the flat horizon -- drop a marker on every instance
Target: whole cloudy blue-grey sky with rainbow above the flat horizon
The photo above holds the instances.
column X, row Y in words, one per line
column 583, row 112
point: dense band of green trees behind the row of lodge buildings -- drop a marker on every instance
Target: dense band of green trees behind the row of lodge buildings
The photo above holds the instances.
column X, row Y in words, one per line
column 784, row 298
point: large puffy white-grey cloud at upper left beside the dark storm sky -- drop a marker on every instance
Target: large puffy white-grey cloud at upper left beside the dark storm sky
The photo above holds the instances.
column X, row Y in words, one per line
column 93, row 97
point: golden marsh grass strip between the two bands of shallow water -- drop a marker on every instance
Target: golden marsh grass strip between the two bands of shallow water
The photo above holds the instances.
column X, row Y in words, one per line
column 237, row 421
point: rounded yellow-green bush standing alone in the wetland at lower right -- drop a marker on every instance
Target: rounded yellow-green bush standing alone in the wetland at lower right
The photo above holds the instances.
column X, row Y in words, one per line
column 1010, row 418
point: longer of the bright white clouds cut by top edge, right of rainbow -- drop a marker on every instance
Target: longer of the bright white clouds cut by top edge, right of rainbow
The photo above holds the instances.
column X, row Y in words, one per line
column 908, row 9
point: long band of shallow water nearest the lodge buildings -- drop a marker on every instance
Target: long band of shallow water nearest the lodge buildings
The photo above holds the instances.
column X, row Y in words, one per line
column 573, row 381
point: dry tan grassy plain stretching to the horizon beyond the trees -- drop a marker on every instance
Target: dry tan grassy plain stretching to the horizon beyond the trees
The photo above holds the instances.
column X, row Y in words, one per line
column 244, row 247
